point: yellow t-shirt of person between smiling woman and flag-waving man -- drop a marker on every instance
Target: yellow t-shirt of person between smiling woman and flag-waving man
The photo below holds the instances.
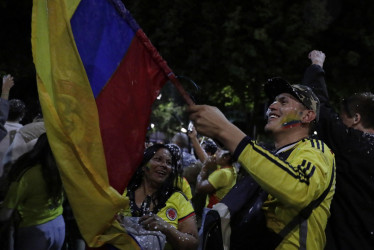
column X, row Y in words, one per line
column 222, row 179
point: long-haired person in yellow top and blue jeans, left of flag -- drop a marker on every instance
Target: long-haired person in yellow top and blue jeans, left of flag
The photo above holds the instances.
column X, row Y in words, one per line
column 36, row 193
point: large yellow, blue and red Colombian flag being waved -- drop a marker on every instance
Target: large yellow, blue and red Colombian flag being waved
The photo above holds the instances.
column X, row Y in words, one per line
column 98, row 75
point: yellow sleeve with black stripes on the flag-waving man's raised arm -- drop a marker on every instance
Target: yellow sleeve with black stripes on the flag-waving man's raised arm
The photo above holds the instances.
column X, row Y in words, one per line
column 295, row 182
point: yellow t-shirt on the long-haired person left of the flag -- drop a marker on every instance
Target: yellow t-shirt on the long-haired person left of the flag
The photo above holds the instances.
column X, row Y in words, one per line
column 29, row 196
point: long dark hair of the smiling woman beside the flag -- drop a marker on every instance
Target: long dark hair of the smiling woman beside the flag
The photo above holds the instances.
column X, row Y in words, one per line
column 169, row 186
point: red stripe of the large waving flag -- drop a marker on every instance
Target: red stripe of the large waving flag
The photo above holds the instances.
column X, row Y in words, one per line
column 124, row 107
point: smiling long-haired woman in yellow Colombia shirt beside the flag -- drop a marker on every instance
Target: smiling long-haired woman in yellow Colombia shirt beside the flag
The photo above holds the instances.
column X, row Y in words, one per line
column 155, row 197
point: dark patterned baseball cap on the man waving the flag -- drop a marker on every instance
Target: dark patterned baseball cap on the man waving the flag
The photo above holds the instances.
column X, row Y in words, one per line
column 302, row 93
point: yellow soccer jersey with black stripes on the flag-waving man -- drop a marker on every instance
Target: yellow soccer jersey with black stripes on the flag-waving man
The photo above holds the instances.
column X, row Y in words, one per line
column 292, row 185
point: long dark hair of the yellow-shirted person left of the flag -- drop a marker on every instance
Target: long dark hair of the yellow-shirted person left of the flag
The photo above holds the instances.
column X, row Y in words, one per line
column 40, row 154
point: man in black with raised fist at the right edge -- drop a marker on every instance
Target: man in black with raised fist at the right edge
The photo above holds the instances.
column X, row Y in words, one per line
column 350, row 136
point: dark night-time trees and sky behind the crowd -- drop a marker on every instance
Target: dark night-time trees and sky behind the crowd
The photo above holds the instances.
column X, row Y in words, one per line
column 229, row 48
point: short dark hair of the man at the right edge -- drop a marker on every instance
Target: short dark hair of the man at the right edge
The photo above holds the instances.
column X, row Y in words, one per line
column 362, row 103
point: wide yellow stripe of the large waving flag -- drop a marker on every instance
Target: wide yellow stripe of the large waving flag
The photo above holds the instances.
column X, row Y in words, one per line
column 71, row 121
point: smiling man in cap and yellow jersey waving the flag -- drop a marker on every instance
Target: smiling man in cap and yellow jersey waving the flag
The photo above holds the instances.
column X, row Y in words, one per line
column 295, row 174
